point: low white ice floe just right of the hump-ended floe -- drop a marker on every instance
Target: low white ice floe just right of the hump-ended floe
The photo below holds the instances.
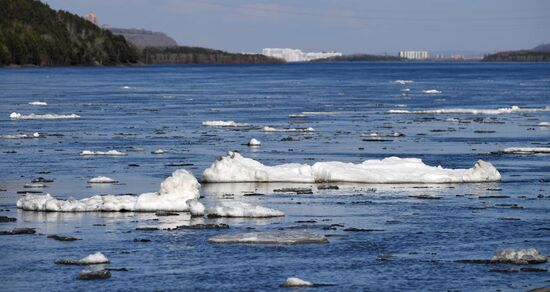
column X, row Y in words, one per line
column 240, row 209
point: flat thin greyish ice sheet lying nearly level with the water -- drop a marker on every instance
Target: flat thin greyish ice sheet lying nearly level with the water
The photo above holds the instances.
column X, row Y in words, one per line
column 281, row 237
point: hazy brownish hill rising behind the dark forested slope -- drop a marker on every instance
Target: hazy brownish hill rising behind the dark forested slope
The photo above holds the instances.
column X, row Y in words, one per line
column 145, row 38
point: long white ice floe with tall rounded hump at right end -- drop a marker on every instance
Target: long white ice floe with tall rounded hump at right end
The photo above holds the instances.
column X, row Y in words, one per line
column 173, row 195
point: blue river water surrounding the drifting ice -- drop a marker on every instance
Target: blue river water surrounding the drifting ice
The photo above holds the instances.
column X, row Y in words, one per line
column 163, row 107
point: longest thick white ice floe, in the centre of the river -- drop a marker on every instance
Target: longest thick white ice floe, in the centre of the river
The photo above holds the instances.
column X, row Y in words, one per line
column 235, row 168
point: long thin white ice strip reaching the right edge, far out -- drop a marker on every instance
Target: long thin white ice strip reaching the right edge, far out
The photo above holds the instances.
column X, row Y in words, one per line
column 471, row 111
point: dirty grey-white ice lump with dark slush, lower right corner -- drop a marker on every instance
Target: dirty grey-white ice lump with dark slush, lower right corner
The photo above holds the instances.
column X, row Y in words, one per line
column 513, row 256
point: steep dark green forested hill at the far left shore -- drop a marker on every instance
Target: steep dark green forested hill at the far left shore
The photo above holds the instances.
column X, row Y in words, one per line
column 33, row 34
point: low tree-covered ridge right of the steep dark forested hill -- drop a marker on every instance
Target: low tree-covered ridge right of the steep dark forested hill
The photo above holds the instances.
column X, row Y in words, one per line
column 195, row 55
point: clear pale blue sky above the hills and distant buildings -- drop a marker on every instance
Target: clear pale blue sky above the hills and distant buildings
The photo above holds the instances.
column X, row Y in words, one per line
column 349, row 26
